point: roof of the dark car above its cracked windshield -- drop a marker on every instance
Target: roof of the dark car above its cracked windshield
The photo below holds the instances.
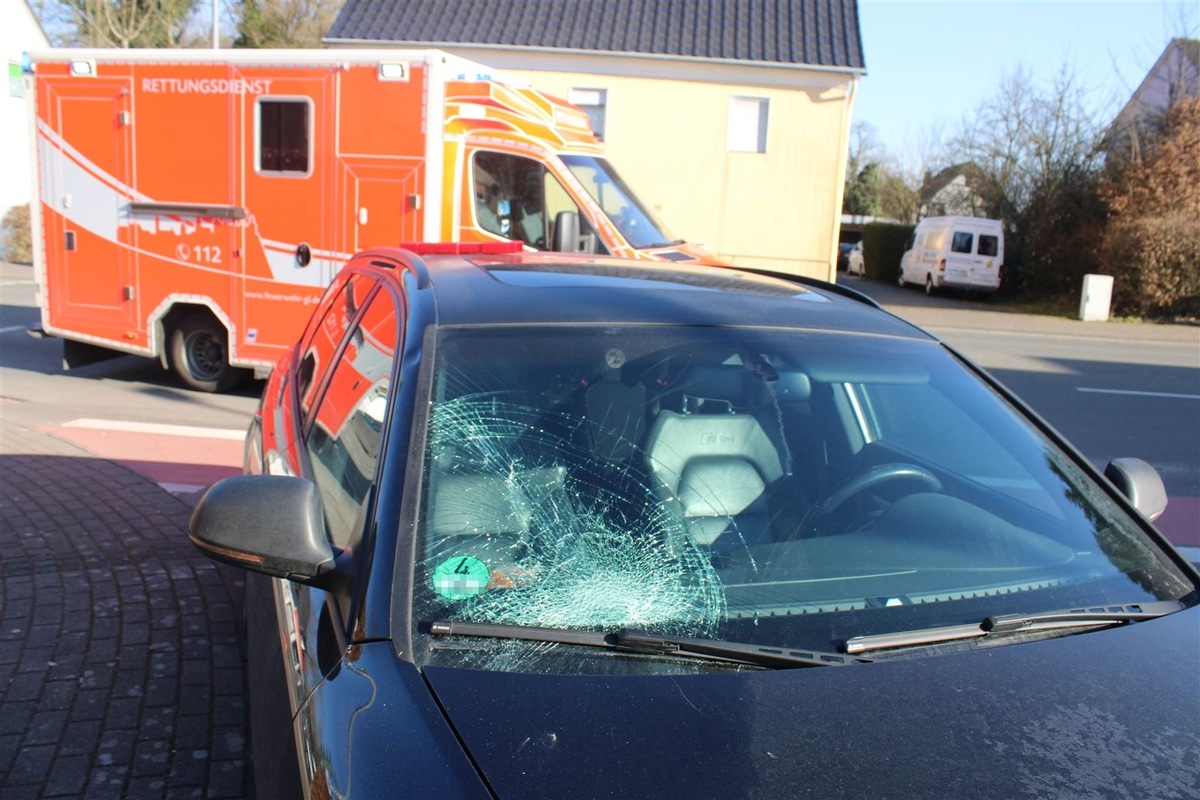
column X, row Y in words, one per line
column 557, row 288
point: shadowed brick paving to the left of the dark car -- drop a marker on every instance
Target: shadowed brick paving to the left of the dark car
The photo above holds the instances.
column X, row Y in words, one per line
column 122, row 665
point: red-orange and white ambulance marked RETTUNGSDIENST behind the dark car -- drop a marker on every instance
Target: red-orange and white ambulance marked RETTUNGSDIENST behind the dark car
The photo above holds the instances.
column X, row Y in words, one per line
column 191, row 206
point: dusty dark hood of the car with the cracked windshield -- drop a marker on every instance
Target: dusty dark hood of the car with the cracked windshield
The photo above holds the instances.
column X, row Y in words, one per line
column 1111, row 713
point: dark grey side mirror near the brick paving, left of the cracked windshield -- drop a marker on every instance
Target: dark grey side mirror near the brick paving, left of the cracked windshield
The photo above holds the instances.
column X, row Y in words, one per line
column 267, row 524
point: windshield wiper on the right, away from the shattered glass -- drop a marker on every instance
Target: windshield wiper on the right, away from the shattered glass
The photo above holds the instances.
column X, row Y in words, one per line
column 1088, row 617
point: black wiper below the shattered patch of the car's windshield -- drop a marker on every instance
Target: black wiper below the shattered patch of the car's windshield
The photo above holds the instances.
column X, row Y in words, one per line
column 626, row 641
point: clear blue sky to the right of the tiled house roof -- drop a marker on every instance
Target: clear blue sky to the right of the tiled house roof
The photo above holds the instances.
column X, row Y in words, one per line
column 931, row 63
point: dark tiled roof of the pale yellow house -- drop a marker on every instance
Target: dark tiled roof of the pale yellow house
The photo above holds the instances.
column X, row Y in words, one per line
column 796, row 33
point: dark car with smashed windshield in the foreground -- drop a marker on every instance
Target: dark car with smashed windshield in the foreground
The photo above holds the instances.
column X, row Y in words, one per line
column 541, row 526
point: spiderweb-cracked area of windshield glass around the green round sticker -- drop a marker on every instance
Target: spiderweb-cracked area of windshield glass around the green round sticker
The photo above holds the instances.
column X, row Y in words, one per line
column 580, row 548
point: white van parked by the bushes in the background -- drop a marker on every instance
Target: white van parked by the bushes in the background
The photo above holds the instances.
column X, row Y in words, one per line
column 956, row 254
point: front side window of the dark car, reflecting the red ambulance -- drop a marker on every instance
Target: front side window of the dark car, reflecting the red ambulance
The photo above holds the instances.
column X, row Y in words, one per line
column 344, row 442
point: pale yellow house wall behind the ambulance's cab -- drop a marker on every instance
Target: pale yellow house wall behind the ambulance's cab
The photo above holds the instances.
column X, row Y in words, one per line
column 776, row 210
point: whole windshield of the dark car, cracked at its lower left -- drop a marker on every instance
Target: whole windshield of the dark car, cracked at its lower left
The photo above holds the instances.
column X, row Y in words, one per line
column 775, row 488
